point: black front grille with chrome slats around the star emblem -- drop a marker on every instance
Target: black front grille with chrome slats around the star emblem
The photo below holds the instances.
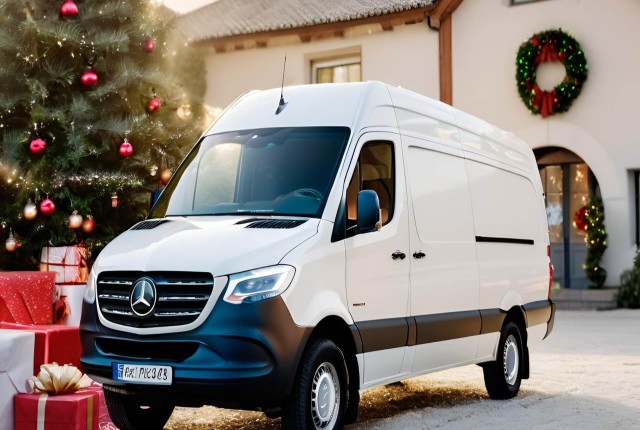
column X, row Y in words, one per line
column 181, row 297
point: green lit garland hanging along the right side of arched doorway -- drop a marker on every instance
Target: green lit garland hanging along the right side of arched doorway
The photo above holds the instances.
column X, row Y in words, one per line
column 596, row 240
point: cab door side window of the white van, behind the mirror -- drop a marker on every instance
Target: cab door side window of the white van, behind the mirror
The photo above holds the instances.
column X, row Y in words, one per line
column 375, row 170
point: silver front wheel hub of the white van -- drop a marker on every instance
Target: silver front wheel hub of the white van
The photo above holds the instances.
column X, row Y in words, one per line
column 325, row 396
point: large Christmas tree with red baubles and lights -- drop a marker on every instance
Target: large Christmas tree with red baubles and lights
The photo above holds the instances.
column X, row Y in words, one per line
column 93, row 119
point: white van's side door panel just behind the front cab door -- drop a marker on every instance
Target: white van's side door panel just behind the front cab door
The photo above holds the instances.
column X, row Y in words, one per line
column 444, row 271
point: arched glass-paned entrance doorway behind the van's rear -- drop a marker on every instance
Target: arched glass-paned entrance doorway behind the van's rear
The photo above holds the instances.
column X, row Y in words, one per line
column 568, row 184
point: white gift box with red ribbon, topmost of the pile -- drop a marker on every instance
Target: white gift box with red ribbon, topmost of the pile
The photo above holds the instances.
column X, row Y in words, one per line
column 68, row 262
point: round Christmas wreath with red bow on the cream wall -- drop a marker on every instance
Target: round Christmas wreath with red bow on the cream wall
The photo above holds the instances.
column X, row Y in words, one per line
column 550, row 46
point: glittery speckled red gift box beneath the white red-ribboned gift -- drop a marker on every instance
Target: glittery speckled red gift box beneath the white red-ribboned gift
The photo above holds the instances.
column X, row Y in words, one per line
column 26, row 297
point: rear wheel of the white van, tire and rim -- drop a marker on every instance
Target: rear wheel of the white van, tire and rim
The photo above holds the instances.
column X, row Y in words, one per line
column 503, row 376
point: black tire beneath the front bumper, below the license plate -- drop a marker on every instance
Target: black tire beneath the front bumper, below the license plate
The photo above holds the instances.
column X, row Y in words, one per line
column 130, row 412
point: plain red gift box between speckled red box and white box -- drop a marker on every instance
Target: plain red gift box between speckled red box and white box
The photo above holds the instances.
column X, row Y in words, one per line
column 54, row 343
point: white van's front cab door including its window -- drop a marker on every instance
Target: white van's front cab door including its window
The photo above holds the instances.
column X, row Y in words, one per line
column 377, row 263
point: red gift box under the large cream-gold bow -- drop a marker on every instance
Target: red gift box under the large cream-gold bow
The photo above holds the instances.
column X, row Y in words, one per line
column 77, row 411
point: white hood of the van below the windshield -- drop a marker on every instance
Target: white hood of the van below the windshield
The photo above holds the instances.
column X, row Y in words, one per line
column 220, row 245
